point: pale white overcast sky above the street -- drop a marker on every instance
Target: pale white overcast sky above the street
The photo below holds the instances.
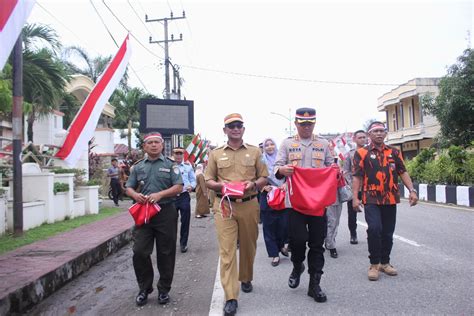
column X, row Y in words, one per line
column 283, row 52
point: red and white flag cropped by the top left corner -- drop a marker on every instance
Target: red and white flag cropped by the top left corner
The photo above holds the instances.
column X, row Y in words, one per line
column 13, row 15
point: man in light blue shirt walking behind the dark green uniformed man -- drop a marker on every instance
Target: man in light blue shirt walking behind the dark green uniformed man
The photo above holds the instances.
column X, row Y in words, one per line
column 183, row 201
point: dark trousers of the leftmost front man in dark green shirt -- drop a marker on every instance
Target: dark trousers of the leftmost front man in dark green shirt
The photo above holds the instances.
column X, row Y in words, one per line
column 162, row 230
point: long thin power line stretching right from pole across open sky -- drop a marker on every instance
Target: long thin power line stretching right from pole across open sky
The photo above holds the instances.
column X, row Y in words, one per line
column 242, row 74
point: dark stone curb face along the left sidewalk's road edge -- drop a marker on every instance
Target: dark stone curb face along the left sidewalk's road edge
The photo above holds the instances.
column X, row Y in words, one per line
column 32, row 293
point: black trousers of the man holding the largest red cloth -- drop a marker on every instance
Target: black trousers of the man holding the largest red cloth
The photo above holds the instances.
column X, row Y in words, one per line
column 307, row 229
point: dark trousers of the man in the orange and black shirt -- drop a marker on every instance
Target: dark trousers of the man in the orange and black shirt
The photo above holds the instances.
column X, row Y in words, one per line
column 381, row 225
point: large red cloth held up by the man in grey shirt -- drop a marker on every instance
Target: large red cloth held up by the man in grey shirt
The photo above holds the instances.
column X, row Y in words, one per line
column 313, row 189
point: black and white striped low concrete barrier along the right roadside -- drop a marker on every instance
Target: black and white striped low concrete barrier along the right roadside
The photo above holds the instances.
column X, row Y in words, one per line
column 440, row 193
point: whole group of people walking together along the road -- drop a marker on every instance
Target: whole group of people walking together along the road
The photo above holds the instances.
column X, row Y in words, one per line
column 238, row 183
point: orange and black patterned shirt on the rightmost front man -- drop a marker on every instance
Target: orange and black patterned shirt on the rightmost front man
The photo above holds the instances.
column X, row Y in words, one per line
column 379, row 170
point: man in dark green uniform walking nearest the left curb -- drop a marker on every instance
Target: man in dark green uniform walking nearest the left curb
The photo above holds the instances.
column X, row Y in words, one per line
column 161, row 181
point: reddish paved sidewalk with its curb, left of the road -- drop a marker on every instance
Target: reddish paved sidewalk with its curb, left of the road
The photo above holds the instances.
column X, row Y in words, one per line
column 32, row 272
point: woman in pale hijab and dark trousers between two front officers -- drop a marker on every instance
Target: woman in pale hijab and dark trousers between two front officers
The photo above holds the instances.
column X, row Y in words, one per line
column 275, row 223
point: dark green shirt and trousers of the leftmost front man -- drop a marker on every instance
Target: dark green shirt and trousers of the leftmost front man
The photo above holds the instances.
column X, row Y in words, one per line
column 155, row 176
